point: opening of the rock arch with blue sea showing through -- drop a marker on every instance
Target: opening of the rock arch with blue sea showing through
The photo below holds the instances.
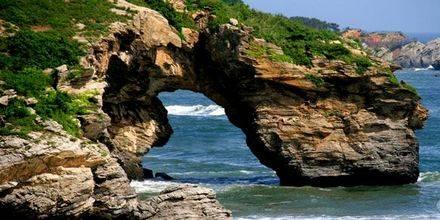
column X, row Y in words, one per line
column 204, row 147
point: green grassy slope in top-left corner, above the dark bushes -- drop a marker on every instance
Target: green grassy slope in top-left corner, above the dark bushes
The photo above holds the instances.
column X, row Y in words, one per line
column 59, row 15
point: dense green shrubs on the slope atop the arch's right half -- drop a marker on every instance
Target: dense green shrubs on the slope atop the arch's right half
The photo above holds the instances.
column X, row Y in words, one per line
column 298, row 41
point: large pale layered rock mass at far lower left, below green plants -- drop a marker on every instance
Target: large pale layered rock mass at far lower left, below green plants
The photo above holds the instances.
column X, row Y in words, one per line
column 49, row 174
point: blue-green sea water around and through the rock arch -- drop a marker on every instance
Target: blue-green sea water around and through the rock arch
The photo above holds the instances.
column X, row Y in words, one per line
column 207, row 149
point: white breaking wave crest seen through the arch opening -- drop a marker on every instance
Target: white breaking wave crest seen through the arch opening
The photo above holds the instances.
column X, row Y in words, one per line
column 195, row 110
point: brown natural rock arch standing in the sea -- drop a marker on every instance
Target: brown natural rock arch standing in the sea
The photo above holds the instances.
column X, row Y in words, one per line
column 352, row 129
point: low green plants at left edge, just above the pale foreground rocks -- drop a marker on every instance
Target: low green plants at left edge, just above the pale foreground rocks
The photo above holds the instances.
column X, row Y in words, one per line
column 52, row 104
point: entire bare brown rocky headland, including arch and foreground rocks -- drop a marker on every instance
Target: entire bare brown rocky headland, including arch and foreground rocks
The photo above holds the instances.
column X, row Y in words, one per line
column 328, row 123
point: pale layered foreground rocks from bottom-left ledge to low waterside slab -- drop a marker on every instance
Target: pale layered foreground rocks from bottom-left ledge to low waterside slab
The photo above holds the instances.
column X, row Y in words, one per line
column 53, row 175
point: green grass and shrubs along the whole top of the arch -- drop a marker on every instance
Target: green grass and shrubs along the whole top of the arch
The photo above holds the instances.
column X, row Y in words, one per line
column 300, row 43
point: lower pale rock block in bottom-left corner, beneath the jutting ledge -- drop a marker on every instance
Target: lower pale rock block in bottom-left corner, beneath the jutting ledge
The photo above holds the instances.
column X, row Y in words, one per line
column 65, row 192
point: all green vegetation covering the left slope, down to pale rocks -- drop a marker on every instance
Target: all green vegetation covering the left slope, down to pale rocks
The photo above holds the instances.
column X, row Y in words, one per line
column 44, row 40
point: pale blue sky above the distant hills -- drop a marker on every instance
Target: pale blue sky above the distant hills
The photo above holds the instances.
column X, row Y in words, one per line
column 416, row 16
